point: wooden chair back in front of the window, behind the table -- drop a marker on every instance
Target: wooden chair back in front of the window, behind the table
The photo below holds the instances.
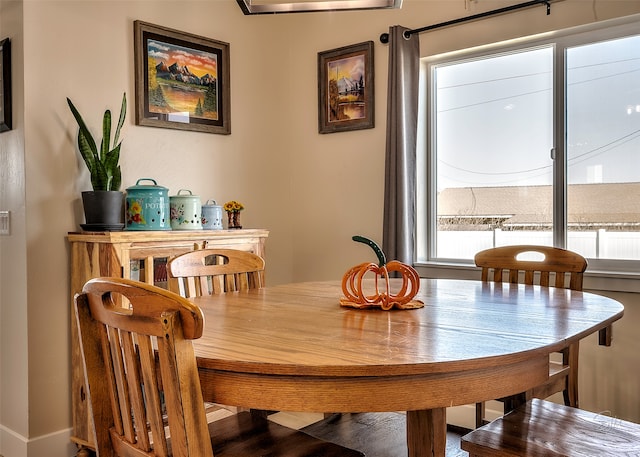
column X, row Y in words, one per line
column 558, row 268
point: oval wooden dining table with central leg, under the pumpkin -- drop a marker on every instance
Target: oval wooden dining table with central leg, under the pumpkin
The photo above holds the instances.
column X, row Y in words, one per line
column 294, row 348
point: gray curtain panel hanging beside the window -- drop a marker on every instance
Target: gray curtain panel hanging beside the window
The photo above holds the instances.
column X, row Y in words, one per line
column 398, row 235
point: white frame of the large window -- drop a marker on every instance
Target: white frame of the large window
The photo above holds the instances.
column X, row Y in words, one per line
column 602, row 274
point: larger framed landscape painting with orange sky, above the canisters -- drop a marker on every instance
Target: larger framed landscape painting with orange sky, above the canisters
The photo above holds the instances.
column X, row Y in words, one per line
column 182, row 80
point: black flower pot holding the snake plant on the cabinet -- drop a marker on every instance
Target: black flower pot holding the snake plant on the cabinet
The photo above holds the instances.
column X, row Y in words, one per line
column 103, row 209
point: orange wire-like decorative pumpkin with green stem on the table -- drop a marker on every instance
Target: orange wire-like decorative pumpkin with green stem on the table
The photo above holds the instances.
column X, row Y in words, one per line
column 381, row 294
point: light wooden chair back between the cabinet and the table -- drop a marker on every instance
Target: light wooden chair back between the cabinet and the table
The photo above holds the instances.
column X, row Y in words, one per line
column 214, row 271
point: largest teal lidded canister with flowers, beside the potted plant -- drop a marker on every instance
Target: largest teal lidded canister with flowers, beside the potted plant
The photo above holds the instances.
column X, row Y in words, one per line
column 147, row 206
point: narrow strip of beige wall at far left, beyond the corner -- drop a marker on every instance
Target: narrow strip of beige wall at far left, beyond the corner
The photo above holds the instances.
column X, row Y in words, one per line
column 13, row 311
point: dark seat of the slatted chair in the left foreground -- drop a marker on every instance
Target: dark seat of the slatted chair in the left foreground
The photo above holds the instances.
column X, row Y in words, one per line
column 250, row 435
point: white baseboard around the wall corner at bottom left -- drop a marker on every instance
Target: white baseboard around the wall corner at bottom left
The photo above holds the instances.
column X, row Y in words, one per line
column 57, row 444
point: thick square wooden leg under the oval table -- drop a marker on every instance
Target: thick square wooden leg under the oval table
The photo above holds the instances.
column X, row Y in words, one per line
column 427, row 433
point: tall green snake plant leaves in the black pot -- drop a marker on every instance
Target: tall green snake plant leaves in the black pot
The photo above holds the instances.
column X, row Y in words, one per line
column 102, row 164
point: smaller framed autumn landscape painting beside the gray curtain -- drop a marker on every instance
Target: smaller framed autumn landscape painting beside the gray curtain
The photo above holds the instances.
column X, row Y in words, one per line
column 345, row 88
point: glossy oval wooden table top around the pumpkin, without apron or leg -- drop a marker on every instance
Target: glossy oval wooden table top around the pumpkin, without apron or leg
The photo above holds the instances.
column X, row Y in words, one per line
column 300, row 328
